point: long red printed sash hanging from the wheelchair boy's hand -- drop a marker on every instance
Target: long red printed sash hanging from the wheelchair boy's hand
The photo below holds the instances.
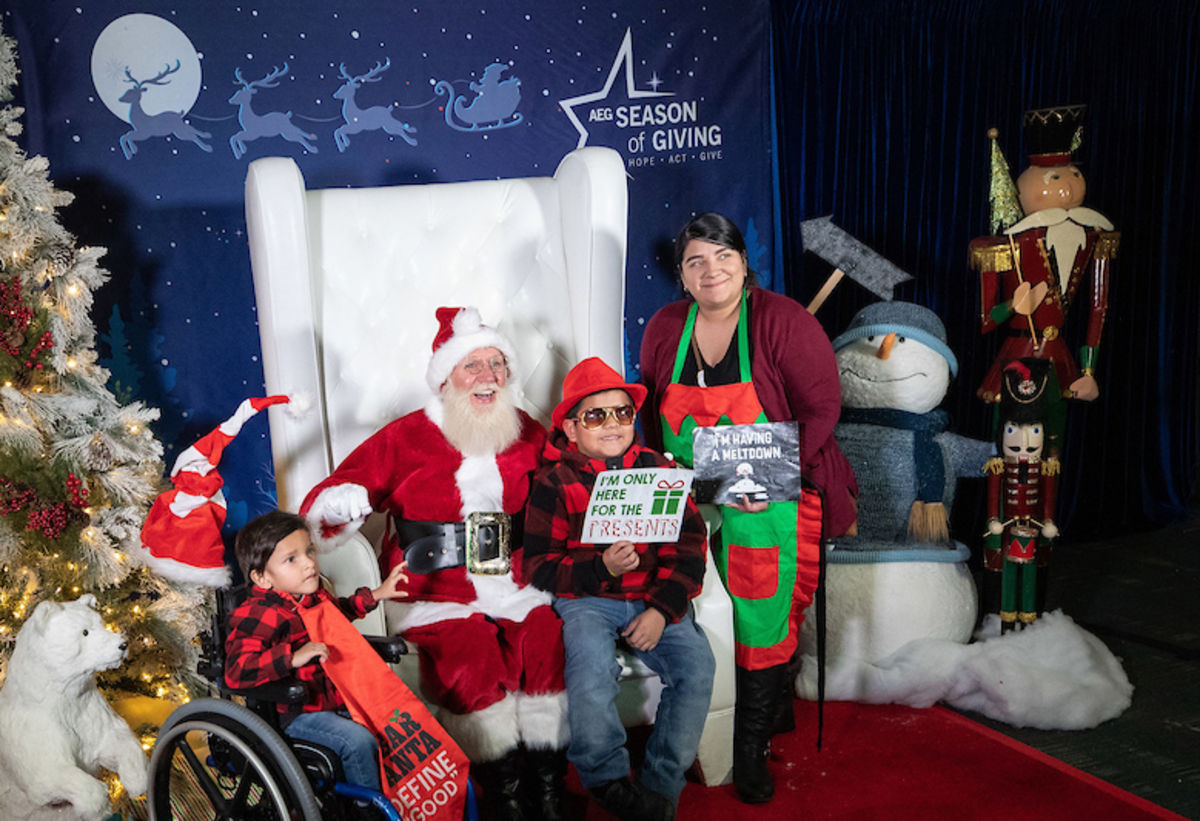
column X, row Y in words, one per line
column 424, row 772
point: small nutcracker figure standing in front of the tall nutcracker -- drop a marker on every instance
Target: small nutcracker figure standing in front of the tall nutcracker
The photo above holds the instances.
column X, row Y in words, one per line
column 1022, row 489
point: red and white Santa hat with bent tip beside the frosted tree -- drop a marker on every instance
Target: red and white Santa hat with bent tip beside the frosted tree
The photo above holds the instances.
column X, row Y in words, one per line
column 182, row 537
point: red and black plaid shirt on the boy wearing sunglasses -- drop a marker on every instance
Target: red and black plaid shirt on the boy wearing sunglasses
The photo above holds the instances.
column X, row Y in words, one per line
column 556, row 561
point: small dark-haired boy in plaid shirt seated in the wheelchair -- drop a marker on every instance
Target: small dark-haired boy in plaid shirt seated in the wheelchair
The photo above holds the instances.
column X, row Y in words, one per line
column 268, row 640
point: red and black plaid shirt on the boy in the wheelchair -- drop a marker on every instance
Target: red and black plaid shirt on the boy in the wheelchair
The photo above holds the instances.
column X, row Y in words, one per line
column 266, row 631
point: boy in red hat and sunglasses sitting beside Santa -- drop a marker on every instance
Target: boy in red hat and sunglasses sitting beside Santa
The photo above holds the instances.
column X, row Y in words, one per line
column 632, row 594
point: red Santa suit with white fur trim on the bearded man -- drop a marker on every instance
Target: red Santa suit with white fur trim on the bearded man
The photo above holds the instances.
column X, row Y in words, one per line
column 490, row 646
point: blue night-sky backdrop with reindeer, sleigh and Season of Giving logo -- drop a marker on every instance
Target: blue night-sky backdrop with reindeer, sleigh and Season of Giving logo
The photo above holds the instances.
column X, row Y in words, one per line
column 151, row 112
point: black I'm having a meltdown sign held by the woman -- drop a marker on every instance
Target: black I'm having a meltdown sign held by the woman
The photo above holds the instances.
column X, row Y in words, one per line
column 761, row 463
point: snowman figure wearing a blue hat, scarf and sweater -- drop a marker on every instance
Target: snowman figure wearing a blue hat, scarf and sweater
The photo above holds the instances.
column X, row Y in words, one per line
column 901, row 577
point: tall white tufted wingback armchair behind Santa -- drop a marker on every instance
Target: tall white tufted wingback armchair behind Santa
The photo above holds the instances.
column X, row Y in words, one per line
column 347, row 283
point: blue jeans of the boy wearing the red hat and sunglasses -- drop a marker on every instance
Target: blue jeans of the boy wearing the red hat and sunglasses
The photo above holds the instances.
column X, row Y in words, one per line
column 685, row 663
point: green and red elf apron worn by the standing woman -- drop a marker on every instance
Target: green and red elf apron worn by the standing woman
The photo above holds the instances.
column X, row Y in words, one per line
column 769, row 561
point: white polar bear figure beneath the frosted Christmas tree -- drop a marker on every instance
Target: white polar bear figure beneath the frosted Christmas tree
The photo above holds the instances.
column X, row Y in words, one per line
column 57, row 730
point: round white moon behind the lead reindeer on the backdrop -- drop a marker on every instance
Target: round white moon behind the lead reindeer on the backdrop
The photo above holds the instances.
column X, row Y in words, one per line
column 146, row 45
